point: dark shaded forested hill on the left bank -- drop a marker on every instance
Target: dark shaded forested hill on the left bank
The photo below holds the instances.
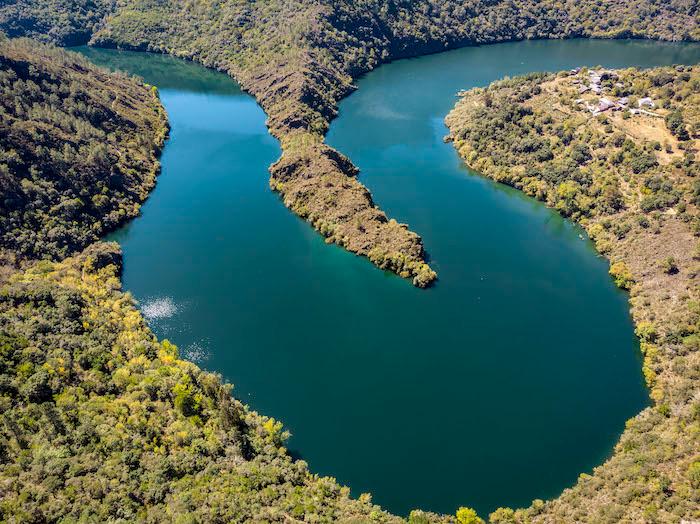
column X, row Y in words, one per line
column 78, row 149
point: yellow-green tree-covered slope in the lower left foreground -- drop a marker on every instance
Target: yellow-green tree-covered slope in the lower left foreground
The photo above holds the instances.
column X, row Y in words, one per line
column 100, row 421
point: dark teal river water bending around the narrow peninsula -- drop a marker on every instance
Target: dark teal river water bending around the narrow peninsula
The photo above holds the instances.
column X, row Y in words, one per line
column 501, row 384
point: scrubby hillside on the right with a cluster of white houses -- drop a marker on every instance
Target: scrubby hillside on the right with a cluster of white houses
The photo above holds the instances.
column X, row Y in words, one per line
column 617, row 152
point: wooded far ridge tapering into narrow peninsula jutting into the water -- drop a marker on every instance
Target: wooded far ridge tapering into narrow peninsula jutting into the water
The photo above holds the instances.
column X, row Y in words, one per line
column 299, row 57
